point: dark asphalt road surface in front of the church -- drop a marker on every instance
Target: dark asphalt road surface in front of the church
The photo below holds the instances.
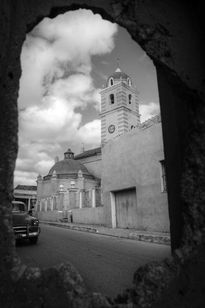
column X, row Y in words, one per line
column 107, row 264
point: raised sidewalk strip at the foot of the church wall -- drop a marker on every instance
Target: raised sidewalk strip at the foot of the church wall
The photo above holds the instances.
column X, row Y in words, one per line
column 151, row 237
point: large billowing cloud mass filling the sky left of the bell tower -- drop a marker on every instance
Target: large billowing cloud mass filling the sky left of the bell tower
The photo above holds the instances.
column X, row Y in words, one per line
column 56, row 66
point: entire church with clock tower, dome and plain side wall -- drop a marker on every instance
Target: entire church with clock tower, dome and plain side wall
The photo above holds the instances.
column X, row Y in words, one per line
column 124, row 181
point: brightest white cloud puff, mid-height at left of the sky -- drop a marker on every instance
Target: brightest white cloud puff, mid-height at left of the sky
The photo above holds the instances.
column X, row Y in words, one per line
column 48, row 122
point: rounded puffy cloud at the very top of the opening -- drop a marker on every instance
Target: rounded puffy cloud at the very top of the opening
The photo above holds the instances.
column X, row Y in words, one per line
column 81, row 33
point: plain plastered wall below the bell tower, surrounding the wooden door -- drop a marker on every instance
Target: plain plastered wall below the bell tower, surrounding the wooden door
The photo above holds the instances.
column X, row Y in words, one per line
column 133, row 160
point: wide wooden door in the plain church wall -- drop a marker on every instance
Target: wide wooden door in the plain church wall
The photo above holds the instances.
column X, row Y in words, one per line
column 126, row 208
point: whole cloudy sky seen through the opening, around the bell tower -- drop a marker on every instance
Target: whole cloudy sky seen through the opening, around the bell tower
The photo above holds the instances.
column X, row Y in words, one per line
column 65, row 62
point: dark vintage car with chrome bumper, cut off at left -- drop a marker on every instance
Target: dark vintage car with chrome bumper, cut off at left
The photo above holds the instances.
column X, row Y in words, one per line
column 25, row 226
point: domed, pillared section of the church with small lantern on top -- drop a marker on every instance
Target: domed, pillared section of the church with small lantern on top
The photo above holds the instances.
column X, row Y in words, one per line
column 68, row 185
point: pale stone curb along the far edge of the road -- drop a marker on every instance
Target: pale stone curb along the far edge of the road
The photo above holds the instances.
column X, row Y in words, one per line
column 156, row 239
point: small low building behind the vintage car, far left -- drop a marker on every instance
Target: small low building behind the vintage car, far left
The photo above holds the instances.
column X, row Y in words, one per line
column 27, row 194
